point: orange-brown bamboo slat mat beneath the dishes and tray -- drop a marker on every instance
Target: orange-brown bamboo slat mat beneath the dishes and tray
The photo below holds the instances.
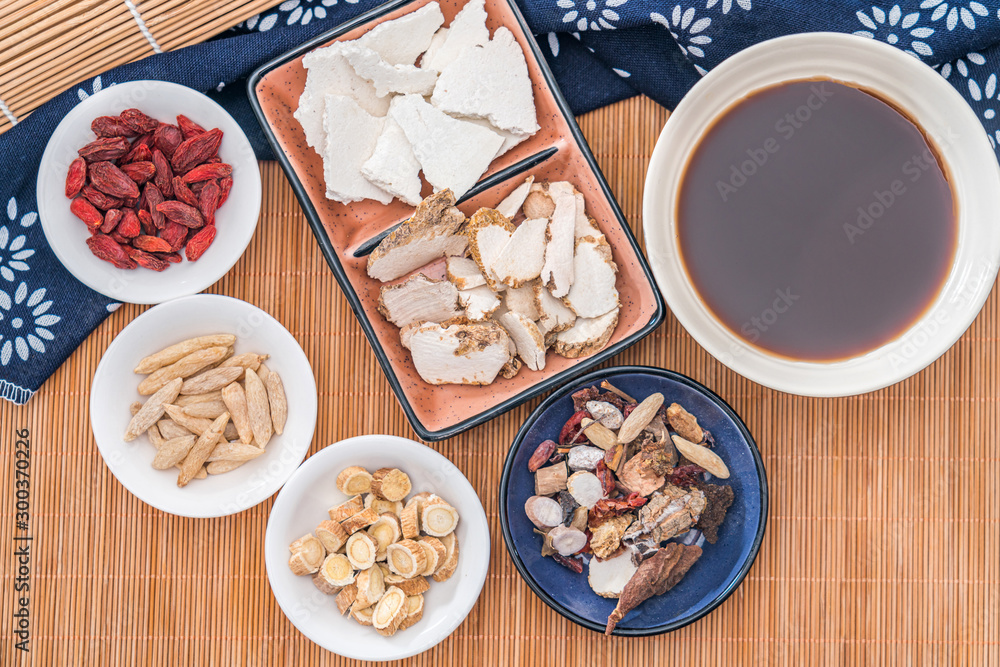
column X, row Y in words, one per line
column 883, row 544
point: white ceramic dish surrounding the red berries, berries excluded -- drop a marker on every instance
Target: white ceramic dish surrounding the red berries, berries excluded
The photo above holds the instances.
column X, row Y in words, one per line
column 236, row 219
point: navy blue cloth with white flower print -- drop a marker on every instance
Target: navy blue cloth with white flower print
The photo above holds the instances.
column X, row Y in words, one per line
column 601, row 51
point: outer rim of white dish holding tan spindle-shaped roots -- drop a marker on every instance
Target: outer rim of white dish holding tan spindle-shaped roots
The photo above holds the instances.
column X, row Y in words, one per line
column 135, row 487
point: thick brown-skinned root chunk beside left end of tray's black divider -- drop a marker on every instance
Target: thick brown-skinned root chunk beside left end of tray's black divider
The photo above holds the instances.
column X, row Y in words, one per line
column 430, row 233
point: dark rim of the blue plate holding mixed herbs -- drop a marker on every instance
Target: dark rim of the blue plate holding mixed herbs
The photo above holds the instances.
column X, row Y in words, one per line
column 563, row 392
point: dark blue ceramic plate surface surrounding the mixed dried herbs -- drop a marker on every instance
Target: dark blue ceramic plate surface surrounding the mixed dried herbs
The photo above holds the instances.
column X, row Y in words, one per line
column 723, row 565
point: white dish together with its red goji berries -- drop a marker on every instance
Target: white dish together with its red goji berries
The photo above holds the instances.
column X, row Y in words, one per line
column 148, row 191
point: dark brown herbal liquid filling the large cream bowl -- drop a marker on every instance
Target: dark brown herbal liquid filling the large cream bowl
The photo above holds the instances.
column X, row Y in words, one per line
column 815, row 221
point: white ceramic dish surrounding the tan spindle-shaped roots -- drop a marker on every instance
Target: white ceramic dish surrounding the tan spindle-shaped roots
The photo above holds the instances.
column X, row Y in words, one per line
column 115, row 387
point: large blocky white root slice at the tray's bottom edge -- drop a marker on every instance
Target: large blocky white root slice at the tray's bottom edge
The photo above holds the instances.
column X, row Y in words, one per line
column 458, row 354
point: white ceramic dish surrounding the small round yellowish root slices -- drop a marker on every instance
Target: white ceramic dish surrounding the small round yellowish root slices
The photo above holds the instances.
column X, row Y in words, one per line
column 302, row 504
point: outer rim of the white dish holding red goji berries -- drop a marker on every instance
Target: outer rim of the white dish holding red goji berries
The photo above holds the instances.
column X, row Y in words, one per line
column 251, row 177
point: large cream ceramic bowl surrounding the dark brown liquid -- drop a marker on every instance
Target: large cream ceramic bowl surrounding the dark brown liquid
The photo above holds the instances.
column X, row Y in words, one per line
column 938, row 109
